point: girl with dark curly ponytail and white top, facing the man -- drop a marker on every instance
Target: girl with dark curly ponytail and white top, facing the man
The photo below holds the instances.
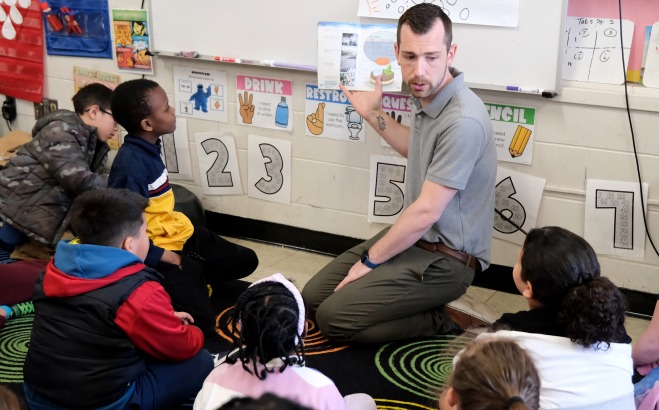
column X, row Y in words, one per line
column 575, row 329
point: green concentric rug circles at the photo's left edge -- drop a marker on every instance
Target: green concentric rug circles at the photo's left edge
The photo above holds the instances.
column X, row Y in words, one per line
column 14, row 342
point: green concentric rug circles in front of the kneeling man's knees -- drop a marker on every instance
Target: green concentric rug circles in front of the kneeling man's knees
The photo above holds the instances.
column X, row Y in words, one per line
column 421, row 367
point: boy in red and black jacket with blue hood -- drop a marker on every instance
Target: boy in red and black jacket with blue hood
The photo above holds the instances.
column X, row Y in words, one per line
column 105, row 334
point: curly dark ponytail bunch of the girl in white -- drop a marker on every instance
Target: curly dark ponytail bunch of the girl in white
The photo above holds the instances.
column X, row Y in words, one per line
column 594, row 313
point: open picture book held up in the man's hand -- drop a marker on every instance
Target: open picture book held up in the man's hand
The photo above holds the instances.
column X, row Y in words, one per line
column 352, row 54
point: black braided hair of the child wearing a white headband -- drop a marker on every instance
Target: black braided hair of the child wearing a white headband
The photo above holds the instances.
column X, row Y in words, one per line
column 266, row 321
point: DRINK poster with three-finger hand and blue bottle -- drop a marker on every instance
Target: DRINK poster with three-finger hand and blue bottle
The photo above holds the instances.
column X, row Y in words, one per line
column 264, row 102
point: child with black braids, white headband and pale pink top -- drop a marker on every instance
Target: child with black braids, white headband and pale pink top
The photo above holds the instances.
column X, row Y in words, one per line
column 268, row 354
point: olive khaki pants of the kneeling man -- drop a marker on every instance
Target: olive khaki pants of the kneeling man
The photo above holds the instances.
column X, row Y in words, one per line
column 402, row 298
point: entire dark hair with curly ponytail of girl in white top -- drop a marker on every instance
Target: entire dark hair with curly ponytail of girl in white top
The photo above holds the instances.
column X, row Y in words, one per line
column 565, row 277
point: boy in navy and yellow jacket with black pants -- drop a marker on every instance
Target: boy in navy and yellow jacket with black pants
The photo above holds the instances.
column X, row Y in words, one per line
column 189, row 257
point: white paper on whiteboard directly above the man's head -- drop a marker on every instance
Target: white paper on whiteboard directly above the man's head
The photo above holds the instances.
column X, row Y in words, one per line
column 486, row 12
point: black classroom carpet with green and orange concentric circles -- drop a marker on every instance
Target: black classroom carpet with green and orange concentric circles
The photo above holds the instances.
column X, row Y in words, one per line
column 402, row 375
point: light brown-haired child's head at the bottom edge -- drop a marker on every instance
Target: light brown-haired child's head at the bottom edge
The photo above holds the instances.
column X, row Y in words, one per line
column 492, row 375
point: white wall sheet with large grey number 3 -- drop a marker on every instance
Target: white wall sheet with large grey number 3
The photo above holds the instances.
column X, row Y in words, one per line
column 269, row 169
